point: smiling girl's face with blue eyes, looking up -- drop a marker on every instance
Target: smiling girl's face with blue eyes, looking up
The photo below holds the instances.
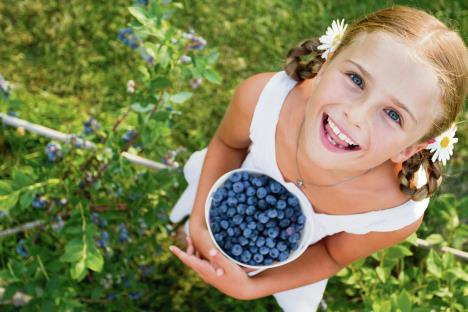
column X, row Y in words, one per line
column 377, row 95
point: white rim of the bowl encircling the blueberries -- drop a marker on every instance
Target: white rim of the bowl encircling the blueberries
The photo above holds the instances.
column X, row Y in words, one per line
column 306, row 232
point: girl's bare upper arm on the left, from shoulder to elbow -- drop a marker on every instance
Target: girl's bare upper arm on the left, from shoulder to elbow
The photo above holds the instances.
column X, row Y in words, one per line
column 234, row 128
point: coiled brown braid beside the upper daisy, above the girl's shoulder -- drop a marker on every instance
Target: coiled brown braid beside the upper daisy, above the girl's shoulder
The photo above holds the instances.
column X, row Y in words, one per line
column 300, row 70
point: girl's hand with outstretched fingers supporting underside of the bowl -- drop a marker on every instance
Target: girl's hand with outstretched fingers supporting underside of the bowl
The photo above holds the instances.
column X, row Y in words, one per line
column 228, row 278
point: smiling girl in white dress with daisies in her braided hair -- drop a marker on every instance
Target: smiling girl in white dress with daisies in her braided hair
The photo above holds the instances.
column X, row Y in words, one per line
column 350, row 133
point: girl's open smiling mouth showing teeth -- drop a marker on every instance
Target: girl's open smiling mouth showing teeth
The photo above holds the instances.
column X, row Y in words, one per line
column 332, row 141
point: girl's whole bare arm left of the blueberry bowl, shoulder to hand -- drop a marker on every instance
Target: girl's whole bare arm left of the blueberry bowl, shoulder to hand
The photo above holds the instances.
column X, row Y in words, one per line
column 226, row 151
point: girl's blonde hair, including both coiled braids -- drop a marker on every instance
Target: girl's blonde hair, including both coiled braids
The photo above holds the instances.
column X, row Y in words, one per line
column 434, row 44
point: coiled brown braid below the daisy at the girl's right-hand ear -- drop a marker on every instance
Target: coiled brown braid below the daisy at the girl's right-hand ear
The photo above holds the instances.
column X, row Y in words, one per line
column 409, row 168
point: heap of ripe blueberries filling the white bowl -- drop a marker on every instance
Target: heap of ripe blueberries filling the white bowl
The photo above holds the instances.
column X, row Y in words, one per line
column 255, row 219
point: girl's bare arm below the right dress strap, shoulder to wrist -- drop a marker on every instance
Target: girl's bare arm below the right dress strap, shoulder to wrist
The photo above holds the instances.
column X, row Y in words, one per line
column 326, row 258
